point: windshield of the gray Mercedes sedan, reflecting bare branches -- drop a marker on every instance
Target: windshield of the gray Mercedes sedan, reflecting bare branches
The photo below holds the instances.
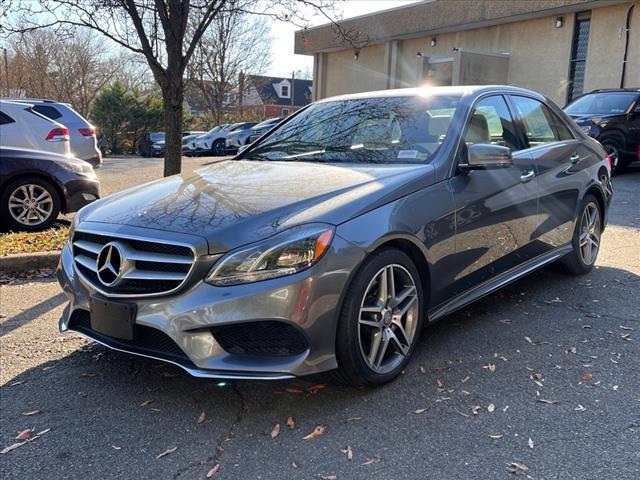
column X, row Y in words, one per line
column 364, row 130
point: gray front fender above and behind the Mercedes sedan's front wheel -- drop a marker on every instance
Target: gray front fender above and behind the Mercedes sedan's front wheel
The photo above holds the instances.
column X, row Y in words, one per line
column 425, row 218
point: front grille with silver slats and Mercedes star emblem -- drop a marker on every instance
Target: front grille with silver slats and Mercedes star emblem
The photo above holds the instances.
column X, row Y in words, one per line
column 147, row 267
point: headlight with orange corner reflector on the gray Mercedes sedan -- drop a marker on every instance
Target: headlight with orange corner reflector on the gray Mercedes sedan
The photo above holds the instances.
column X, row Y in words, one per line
column 284, row 254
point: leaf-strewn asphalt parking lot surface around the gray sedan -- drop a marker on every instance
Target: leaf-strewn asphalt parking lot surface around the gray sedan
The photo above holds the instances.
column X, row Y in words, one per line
column 540, row 380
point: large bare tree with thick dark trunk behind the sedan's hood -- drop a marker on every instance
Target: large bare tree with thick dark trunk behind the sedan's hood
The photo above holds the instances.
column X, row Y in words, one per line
column 165, row 32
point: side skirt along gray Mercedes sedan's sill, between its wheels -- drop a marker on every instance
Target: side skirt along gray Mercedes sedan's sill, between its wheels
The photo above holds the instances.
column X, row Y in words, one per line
column 496, row 283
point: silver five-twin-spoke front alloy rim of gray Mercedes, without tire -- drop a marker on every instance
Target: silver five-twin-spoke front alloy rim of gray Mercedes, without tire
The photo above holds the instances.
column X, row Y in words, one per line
column 388, row 318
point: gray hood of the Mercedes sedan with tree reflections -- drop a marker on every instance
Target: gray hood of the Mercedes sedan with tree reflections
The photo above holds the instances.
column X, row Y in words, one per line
column 236, row 202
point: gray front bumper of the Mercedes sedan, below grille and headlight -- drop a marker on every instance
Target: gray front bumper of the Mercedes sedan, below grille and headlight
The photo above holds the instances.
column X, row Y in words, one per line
column 191, row 319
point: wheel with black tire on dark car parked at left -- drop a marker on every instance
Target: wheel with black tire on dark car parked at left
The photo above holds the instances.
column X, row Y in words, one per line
column 24, row 190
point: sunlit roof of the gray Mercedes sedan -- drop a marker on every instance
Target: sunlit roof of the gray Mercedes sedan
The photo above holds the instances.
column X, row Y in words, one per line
column 425, row 91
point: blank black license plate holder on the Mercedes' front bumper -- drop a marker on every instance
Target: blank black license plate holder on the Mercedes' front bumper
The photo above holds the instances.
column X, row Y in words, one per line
column 114, row 319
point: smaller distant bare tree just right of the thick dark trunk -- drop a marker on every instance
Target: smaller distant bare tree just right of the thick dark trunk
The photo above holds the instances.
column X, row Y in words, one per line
column 236, row 44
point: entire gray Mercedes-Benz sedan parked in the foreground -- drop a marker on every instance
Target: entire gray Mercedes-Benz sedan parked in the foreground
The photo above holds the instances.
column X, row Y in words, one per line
column 334, row 239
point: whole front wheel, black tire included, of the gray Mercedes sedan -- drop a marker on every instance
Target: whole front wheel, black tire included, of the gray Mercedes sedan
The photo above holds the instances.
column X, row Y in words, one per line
column 358, row 332
